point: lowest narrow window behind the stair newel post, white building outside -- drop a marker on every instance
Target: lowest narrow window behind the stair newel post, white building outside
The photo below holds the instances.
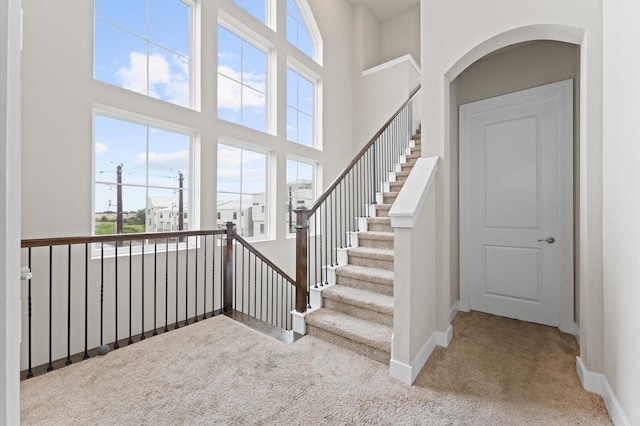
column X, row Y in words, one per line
column 299, row 189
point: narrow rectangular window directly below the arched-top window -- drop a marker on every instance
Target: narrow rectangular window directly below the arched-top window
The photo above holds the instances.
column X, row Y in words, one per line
column 300, row 111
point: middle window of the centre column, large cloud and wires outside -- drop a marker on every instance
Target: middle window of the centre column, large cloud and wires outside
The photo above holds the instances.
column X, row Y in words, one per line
column 242, row 69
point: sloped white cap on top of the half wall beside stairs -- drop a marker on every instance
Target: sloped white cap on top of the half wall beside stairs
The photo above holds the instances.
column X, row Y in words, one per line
column 404, row 211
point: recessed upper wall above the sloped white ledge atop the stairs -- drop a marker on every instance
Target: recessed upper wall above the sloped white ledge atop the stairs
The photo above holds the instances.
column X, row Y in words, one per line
column 400, row 36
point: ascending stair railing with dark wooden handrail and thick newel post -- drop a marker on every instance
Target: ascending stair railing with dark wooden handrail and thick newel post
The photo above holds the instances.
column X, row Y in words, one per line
column 330, row 223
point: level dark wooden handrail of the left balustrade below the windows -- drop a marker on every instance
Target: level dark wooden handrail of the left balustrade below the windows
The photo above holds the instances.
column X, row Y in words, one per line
column 62, row 241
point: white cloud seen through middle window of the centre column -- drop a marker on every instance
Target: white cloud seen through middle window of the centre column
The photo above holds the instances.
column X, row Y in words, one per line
column 229, row 95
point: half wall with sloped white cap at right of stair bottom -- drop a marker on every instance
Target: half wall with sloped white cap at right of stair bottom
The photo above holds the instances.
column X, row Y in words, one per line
column 414, row 319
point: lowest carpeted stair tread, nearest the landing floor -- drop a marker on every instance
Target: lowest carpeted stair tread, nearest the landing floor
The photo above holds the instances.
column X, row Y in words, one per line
column 362, row 331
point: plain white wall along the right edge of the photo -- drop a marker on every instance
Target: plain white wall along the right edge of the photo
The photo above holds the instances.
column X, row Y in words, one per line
column 621, row 176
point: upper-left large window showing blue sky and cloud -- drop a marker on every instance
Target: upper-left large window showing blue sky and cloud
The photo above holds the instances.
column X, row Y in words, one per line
column 144, row 46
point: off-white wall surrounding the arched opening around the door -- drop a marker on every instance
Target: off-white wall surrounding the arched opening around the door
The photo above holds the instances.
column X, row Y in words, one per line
column 457, row 33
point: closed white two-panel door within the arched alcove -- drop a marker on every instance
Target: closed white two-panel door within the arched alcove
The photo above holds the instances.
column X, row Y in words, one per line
column 516, row 205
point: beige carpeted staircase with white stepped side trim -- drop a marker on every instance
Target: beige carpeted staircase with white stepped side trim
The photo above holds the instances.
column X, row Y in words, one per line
column 357, row 312
